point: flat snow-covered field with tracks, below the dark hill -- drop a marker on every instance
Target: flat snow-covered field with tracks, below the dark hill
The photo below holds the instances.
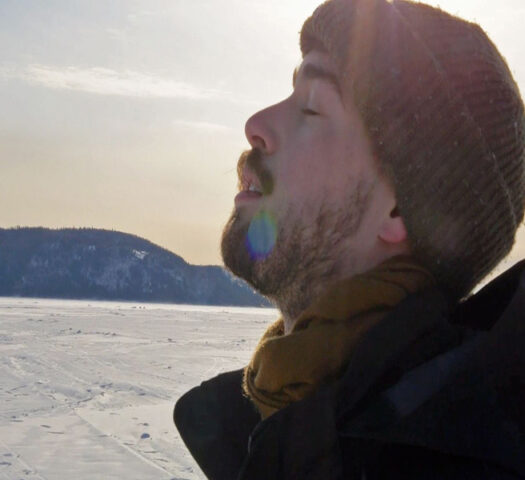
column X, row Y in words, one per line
column 87, row 388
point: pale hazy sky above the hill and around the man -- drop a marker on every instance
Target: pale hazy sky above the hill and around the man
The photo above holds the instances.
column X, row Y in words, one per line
column 129, row 114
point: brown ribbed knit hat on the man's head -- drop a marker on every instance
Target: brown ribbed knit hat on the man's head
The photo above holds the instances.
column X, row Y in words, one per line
column 446, row 121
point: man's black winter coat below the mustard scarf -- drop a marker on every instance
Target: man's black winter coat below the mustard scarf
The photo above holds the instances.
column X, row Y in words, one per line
column 453, row 413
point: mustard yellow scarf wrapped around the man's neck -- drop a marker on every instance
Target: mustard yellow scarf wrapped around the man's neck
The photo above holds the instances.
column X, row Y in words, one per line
column 287, row 368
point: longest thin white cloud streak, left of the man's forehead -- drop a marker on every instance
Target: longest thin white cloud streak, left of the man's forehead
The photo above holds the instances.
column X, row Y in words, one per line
column 105, row 81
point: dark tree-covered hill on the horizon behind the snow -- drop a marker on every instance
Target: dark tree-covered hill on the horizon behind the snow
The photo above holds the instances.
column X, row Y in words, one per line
column 109, row 265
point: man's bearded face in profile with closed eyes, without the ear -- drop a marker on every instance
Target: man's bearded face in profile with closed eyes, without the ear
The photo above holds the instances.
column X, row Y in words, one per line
column 314, row 178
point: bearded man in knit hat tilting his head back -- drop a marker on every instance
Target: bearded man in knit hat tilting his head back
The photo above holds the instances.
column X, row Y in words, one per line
column 372, row 202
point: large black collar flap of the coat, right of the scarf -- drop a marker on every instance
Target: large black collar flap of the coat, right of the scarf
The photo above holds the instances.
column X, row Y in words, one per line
column 469, row 400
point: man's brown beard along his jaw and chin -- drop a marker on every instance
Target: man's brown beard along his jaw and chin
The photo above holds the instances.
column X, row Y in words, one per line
column 306, row 253
